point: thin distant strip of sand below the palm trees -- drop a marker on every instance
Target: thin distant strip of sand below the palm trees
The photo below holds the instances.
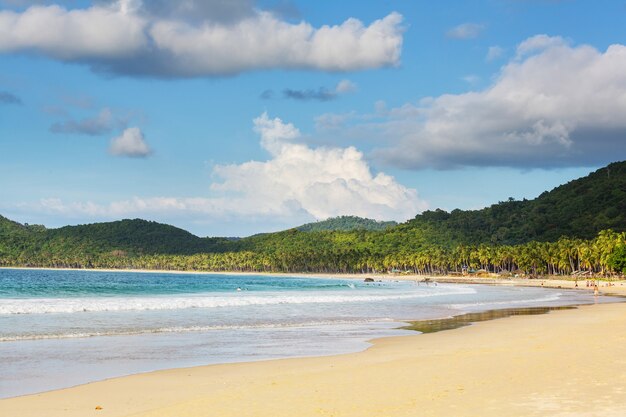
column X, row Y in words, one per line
column 617, row 288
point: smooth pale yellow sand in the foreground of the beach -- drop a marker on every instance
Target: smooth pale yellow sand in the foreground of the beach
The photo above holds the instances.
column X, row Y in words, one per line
column 566, row 363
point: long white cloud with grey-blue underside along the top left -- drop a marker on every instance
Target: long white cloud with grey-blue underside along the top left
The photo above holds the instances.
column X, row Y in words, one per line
column 178, row 39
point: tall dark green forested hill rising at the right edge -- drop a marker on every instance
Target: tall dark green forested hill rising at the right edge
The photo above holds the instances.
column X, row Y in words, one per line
column 580, row 208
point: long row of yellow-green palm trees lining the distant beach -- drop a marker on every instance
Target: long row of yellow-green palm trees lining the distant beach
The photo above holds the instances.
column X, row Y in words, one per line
column 563, row 257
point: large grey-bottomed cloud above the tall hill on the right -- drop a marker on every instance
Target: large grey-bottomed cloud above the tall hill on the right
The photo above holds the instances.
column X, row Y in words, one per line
column 552, row 105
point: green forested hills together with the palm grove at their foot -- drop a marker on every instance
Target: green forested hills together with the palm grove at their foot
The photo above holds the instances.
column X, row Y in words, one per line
column 575, row 228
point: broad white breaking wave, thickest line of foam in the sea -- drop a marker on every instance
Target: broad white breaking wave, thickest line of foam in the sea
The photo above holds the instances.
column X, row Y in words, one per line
column 102, row 304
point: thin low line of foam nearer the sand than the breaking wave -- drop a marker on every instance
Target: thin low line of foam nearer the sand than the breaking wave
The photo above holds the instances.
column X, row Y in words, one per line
column 189, row 329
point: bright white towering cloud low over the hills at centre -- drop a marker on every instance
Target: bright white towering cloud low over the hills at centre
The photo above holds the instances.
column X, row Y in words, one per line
column 324, row 182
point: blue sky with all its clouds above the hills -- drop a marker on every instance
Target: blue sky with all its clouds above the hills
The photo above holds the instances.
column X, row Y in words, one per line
column 229, row 118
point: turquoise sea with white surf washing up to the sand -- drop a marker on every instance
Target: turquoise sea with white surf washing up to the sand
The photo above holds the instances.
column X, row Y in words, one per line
column 63, row 328
